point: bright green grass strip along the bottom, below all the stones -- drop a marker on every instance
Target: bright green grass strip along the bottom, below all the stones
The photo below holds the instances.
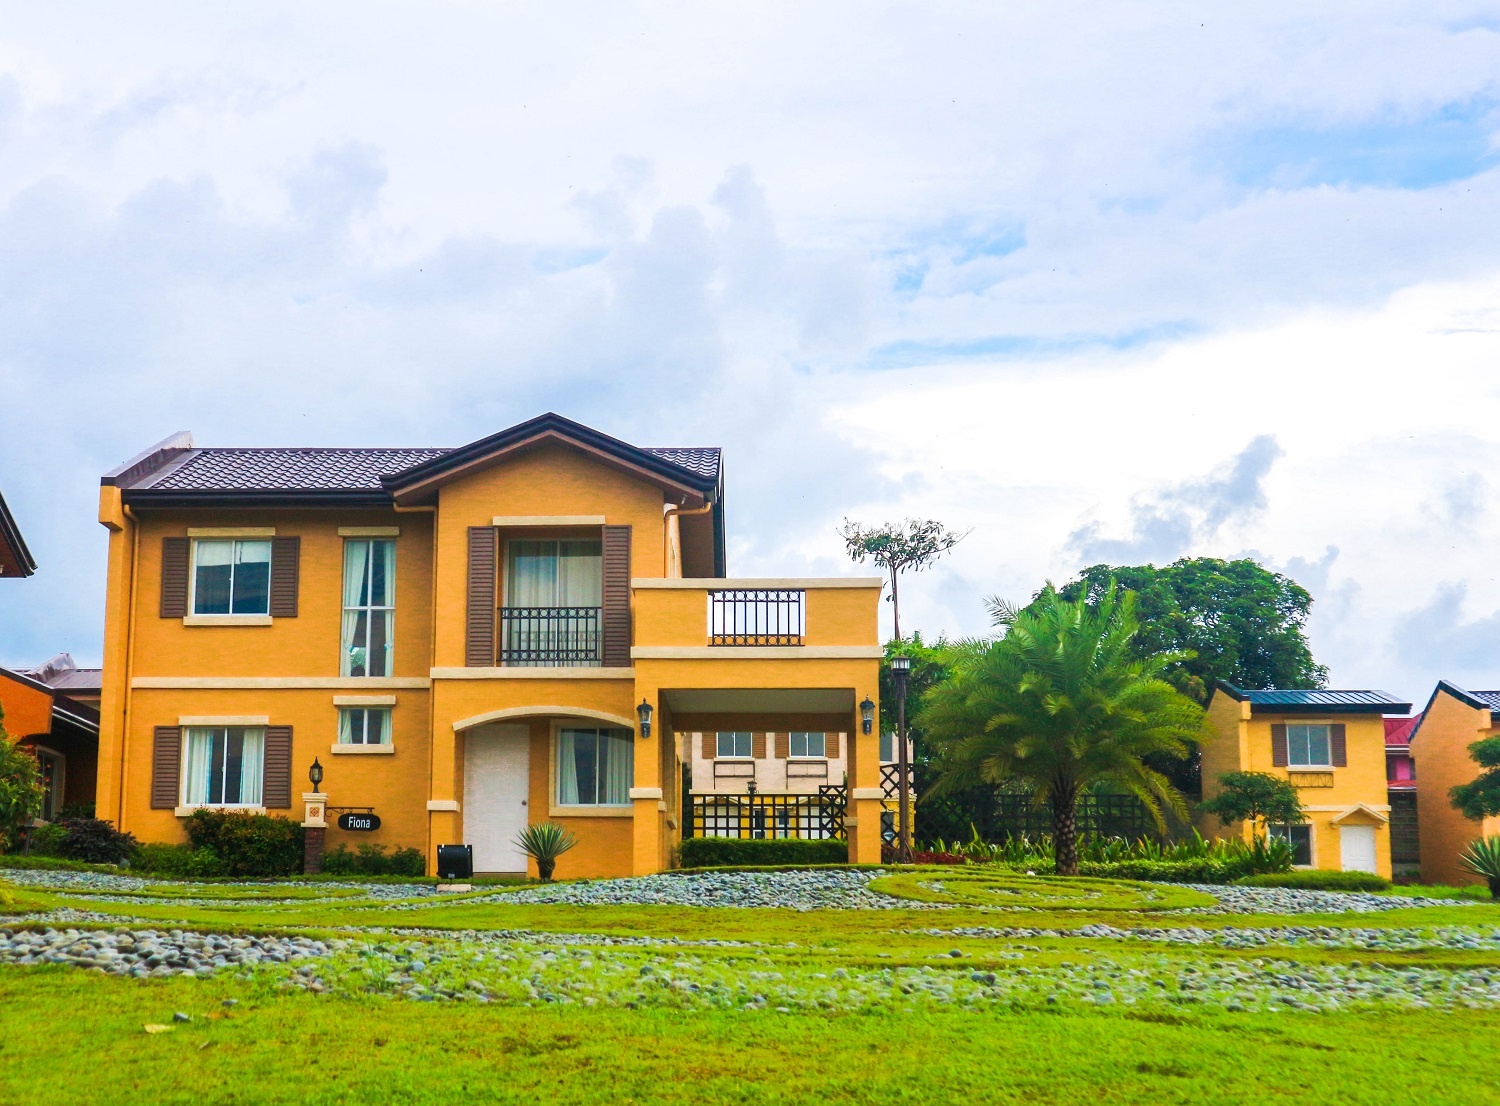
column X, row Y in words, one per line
column 73, row 1038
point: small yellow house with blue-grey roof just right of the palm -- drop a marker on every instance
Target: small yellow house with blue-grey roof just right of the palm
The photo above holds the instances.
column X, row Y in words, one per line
column 1331, row 747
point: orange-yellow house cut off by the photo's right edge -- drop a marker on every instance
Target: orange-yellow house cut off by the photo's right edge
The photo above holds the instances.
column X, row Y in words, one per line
column 1454, row 720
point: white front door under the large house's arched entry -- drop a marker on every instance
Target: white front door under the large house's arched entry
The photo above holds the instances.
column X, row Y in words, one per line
column 497, row 762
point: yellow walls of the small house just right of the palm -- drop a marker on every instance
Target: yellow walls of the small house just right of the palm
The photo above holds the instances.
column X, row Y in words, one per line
column 1241, row 742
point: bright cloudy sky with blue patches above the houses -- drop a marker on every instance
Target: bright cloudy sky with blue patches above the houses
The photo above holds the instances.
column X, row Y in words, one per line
column 1090, row 281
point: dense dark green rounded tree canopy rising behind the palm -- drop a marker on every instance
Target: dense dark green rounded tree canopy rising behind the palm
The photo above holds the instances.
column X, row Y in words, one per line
column 1232, row 621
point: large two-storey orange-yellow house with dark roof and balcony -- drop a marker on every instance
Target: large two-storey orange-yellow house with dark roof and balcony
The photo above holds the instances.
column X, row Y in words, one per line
column 467, row 640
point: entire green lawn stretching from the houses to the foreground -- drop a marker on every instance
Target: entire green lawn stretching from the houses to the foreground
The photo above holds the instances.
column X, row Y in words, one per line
column 877, row 1009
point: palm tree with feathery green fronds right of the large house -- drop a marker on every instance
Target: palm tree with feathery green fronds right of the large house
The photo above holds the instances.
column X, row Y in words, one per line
column 1058, row 706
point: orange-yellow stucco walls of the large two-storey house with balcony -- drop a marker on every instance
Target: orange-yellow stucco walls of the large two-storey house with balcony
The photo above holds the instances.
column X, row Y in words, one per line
column 160, row 670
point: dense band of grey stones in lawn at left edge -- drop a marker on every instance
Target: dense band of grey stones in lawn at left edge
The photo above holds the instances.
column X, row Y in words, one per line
column 152, row 952
